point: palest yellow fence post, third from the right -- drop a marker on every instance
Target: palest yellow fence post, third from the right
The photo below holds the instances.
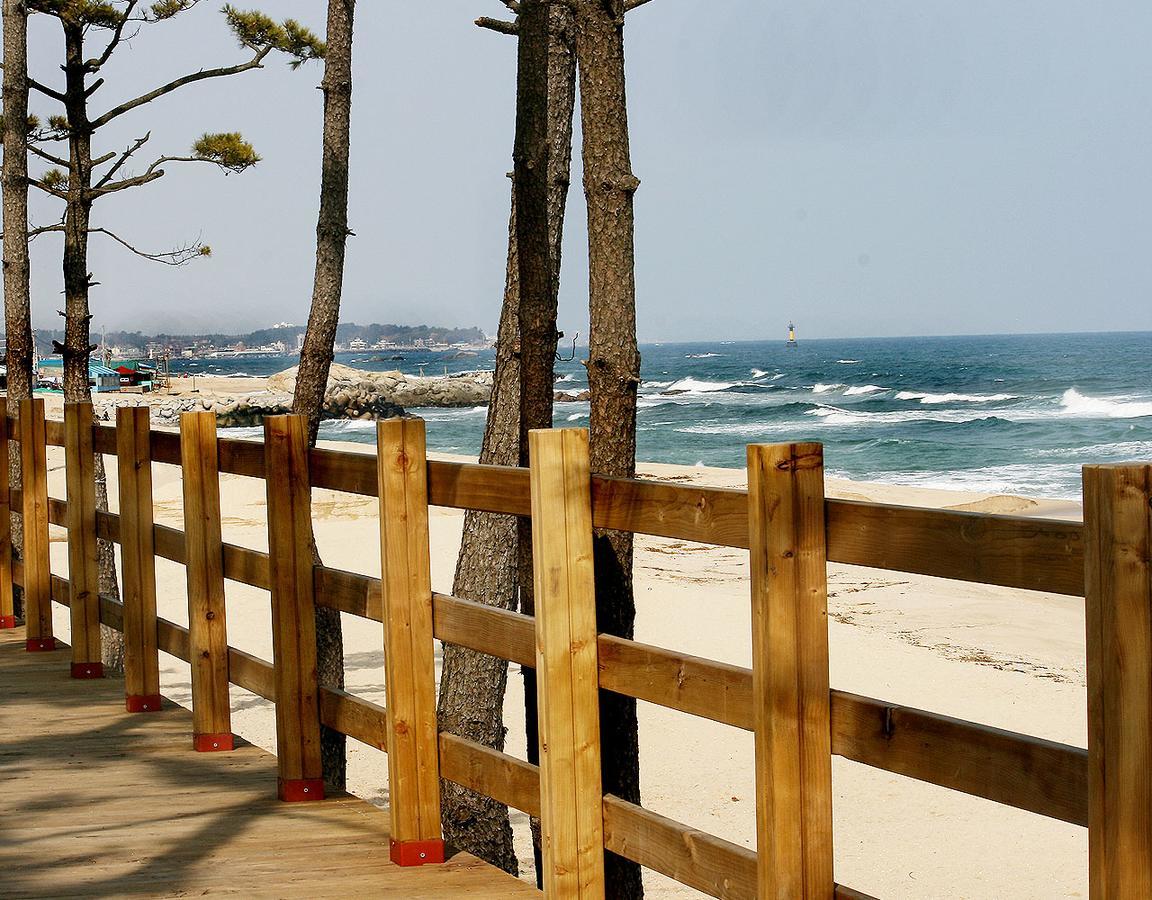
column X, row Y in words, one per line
column 567, row 675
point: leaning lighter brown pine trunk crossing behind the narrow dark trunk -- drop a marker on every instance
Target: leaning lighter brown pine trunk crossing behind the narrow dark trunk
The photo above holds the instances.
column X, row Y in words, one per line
column 490, row 569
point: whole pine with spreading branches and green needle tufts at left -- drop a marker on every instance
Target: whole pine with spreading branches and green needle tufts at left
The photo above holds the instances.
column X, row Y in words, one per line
column 80, row 180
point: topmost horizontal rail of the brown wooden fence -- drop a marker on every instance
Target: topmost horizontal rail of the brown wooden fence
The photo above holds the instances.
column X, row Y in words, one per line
column 1009, row 551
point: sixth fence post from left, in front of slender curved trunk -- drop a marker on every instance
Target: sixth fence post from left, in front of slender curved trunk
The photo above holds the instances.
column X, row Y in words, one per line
column 293, row 608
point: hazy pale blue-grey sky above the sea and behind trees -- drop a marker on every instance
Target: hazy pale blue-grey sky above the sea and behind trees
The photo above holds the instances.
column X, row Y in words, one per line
column 867, row 169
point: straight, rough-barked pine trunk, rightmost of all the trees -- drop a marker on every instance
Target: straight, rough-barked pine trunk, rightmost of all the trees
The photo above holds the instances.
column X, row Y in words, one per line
column 613, row 367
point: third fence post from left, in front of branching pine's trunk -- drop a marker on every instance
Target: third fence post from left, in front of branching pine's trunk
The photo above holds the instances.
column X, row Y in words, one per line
column 84, row 563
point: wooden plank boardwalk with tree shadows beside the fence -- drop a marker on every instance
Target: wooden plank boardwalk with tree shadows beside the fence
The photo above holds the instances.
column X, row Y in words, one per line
column 98, row 803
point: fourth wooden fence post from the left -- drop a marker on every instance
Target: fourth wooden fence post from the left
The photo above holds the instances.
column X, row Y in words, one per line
column 138, row 550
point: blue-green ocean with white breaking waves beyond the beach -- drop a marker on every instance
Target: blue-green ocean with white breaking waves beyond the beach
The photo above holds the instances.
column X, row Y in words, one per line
column 1006, row 414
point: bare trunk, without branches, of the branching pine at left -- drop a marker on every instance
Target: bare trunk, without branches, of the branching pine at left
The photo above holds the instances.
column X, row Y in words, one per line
column 78, row 345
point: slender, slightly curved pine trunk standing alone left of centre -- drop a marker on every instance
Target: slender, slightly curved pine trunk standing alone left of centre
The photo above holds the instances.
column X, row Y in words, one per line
column 320, row 341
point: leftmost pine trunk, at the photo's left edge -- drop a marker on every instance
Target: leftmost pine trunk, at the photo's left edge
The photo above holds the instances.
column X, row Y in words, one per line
column 17, row 294
